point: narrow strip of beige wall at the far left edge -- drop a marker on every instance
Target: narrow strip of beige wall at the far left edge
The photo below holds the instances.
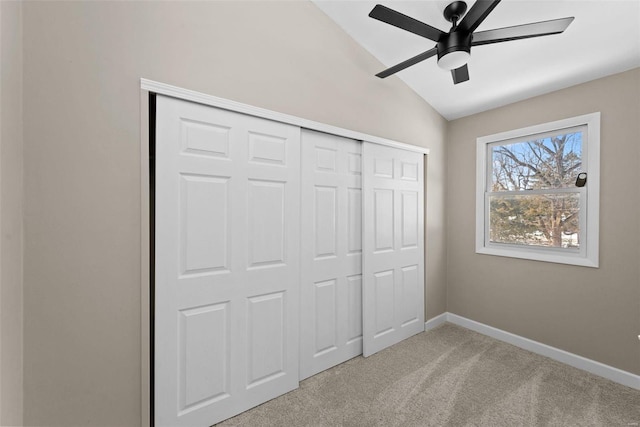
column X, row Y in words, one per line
column 11, row 194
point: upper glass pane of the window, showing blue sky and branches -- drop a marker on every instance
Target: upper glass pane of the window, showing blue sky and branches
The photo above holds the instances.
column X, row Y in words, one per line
column 550, row 162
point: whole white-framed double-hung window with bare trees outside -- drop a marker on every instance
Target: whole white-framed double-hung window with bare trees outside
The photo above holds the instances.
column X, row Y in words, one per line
column 528, row 203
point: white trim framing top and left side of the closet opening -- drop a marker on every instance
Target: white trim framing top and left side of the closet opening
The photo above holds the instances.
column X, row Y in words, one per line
column 148, row 87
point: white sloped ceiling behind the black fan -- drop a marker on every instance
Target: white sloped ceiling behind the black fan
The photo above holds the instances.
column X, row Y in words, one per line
column 603, row 39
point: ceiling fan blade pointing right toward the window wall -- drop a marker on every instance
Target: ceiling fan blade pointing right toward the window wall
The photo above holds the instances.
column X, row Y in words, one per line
column 518, row 32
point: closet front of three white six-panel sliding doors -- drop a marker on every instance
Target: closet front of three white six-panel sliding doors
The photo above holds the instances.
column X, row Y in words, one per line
column 279, row 251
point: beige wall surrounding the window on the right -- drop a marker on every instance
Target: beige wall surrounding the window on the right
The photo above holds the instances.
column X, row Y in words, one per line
column 594, row 313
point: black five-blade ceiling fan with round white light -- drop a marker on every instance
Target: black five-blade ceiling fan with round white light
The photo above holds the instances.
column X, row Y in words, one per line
column 454, row 48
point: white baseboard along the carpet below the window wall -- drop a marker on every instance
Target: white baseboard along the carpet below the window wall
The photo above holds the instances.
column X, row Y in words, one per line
column 609, row 372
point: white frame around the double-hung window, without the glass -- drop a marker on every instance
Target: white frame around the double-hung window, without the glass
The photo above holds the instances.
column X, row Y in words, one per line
column 588, row 255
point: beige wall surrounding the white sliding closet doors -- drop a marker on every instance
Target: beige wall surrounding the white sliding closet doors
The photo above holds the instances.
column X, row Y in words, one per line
column 82, row 66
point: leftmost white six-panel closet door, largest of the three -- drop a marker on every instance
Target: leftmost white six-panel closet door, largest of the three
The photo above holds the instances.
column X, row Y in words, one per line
column 227, row 262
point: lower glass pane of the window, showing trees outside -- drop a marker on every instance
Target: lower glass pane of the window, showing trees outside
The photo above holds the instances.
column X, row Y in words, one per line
column 548, row 220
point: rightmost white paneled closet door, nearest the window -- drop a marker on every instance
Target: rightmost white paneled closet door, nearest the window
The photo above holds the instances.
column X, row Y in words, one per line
column 393, row 273
